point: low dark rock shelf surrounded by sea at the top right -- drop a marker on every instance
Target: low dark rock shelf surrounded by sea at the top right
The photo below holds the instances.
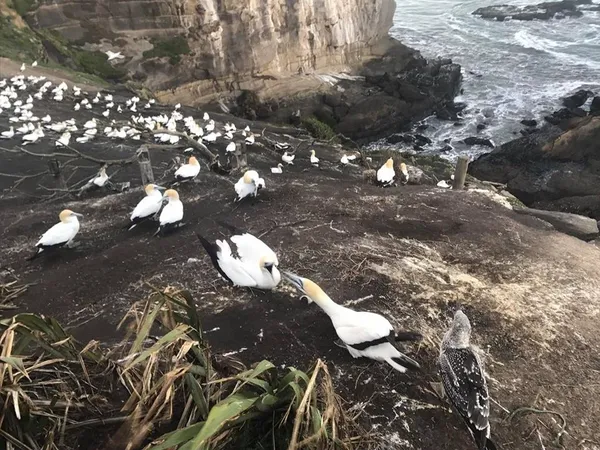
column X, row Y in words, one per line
column 541, row 11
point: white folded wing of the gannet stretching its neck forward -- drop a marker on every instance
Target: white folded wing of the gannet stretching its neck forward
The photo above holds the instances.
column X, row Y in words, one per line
column 362, row 328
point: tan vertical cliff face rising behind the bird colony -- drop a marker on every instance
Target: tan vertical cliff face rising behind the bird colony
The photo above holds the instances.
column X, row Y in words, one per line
column 231, row 42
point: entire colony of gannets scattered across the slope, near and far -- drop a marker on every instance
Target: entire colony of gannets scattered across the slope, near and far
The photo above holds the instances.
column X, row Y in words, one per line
column 242, row 260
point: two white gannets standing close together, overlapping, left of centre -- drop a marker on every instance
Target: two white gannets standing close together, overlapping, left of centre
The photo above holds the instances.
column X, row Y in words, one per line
column 167, row 209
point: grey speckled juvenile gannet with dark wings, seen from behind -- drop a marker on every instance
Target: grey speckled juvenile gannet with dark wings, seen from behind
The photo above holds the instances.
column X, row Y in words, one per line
column 464, row 382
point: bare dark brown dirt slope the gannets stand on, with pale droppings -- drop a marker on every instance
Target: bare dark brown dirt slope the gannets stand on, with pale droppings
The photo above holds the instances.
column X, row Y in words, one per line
column 413, row 253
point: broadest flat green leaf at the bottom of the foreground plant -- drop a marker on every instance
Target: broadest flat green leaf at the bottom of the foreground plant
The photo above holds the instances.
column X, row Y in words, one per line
column 219, row 415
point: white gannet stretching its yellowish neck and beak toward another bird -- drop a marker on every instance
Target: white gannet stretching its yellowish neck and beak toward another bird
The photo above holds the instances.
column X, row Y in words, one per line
column 363, row 333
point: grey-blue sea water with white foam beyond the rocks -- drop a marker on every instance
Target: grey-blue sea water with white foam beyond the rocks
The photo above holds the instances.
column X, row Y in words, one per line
column 512, row 70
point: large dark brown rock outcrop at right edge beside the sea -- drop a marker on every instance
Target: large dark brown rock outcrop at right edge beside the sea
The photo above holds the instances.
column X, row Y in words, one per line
column 552, row 168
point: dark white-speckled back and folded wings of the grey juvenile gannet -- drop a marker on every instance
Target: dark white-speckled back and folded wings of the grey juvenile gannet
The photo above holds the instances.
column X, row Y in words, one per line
column 466, row 388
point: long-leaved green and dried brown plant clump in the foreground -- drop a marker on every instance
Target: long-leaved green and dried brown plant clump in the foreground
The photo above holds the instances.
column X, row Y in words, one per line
column 157, row 391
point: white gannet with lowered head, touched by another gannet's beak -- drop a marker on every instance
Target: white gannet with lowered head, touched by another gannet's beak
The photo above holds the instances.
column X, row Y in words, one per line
column 254, row 266
